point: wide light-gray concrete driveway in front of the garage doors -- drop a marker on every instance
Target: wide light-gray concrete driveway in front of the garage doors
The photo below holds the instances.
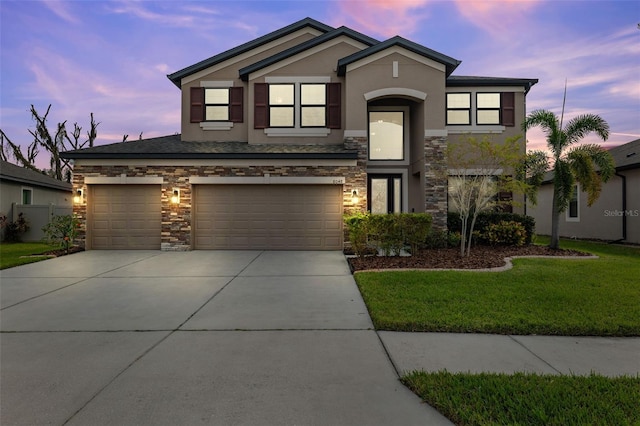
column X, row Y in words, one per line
column 202, row 337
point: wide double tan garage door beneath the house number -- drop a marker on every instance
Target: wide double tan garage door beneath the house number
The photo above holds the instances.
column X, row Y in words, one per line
column 272, row 217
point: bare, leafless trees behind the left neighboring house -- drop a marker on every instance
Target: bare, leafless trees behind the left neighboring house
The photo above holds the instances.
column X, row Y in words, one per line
column 53, row 143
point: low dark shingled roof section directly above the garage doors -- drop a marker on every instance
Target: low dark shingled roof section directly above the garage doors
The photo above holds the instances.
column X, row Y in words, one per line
column 171, row 147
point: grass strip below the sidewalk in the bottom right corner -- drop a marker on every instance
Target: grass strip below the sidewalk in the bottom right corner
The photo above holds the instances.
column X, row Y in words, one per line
column 529, row 399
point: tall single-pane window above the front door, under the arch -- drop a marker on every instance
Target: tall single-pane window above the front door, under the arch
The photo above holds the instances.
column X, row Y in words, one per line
column 386, row 135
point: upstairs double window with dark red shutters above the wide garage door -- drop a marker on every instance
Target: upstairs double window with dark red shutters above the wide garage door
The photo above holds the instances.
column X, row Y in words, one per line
column 300, row 106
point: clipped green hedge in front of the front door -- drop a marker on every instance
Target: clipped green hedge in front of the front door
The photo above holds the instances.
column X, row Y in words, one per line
column 388, row 233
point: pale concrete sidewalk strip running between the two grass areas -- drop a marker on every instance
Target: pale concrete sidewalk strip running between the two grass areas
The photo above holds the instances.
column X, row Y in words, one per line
column 480, row 353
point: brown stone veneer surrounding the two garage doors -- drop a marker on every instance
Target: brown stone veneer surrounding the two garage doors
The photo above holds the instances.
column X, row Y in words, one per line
column 176, row 219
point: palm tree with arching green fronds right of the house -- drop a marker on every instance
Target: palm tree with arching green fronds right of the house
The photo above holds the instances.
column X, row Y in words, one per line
column 588, row 164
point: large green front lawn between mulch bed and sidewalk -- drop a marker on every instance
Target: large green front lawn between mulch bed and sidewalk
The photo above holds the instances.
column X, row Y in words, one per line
column 596, row 297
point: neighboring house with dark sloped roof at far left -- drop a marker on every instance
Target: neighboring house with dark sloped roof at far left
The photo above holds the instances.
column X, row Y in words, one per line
column 37, row 196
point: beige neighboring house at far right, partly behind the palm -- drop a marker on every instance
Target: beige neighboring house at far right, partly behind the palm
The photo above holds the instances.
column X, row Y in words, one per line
column 615, row 216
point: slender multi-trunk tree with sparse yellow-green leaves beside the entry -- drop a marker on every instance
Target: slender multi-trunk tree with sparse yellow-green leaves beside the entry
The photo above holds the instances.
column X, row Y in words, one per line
column 478, row 171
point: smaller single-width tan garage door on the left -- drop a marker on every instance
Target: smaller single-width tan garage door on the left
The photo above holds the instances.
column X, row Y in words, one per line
column 124, row 217
